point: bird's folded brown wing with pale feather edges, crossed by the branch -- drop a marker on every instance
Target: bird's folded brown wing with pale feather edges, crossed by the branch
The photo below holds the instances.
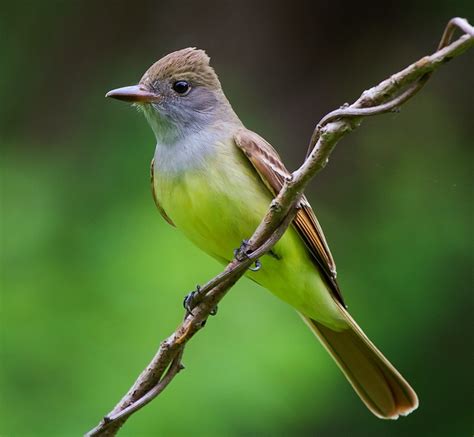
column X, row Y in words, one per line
column 273, row 173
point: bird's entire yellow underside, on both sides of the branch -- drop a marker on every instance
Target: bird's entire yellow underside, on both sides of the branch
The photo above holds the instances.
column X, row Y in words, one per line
column 221, row 206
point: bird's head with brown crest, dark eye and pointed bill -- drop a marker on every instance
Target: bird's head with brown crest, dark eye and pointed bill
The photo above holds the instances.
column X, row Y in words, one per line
column 178, row 94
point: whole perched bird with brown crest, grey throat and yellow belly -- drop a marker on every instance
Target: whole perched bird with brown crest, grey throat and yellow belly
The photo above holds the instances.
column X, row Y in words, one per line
column 214, row 179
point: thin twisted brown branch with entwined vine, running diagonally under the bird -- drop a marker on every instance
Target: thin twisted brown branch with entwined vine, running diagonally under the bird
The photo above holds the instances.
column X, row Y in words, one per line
column 385, row 97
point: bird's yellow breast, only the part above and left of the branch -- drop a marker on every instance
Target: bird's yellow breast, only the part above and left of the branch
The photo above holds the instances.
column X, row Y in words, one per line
column 216, row 207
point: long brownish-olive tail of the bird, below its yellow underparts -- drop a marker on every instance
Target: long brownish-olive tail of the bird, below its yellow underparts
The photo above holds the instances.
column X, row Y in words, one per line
column 383, row 390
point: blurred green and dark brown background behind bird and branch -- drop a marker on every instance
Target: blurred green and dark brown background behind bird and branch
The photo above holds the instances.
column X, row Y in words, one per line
column 92, row 278
